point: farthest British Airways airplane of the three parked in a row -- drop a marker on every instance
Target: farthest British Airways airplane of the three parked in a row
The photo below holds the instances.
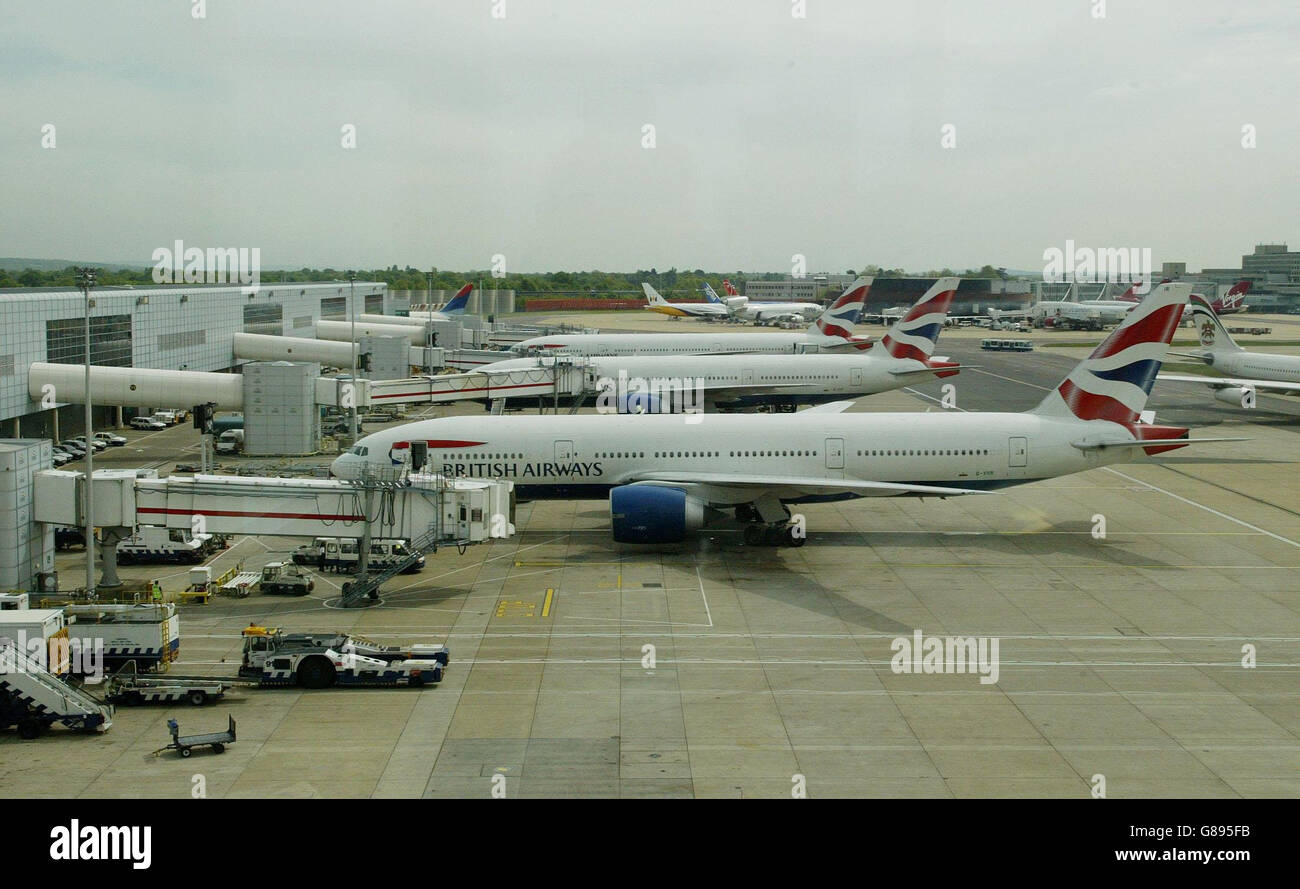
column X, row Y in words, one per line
column 834, row 331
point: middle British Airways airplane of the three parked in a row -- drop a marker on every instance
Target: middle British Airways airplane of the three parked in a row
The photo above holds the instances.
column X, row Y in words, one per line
column 903, row 358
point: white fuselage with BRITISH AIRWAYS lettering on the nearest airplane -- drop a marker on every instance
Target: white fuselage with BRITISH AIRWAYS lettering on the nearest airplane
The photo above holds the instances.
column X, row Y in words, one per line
column 584, row 456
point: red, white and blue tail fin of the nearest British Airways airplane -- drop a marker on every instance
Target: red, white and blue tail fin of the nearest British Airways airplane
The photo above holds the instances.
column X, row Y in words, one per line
column 1115, row 383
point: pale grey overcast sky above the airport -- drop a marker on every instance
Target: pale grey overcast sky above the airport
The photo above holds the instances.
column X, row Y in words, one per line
column 774, row 136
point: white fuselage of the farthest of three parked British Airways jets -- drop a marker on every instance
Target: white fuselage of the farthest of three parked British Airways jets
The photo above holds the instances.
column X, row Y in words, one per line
column 694, row 344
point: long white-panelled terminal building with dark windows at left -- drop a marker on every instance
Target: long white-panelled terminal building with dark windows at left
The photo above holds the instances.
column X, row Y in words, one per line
column 167, row 328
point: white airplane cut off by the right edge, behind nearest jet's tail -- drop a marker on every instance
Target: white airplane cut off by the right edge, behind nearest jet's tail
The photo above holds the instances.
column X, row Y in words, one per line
column 1251, row 372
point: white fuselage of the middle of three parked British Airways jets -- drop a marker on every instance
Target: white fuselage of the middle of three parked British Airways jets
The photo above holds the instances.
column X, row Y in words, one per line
column 809, row 379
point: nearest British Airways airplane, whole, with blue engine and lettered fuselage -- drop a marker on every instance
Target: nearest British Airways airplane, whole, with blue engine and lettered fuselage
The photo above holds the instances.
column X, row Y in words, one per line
column 668, row 475
